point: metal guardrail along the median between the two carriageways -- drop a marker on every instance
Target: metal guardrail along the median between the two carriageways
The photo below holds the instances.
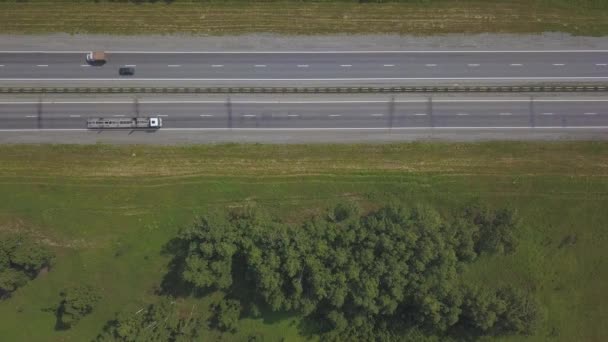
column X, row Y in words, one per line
column 303, row 90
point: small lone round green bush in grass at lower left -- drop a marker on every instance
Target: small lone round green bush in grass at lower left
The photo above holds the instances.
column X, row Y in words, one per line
column 76, row 302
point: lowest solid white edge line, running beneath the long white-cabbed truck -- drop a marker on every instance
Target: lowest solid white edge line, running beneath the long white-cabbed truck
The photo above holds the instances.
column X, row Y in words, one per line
column 321, row 129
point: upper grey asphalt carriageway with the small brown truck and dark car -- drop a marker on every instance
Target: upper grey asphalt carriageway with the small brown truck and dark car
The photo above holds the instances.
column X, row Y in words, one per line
column 570, row 65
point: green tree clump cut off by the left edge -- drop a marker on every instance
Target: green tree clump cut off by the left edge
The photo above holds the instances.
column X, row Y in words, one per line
column 21, row 259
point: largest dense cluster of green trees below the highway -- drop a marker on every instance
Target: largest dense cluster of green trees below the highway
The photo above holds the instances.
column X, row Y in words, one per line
column 377, row 276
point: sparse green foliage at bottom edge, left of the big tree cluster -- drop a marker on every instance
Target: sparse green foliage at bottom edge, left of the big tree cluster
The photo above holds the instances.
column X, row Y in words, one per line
column 161, row 322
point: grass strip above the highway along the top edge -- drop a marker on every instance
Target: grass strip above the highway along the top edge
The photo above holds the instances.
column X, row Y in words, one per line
column 581, row 17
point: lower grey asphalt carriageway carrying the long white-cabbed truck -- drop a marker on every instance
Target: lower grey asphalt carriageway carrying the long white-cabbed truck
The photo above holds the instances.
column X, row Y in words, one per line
column 317, row 114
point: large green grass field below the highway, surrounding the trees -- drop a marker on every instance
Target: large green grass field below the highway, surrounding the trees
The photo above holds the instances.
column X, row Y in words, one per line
column 107, row 211
